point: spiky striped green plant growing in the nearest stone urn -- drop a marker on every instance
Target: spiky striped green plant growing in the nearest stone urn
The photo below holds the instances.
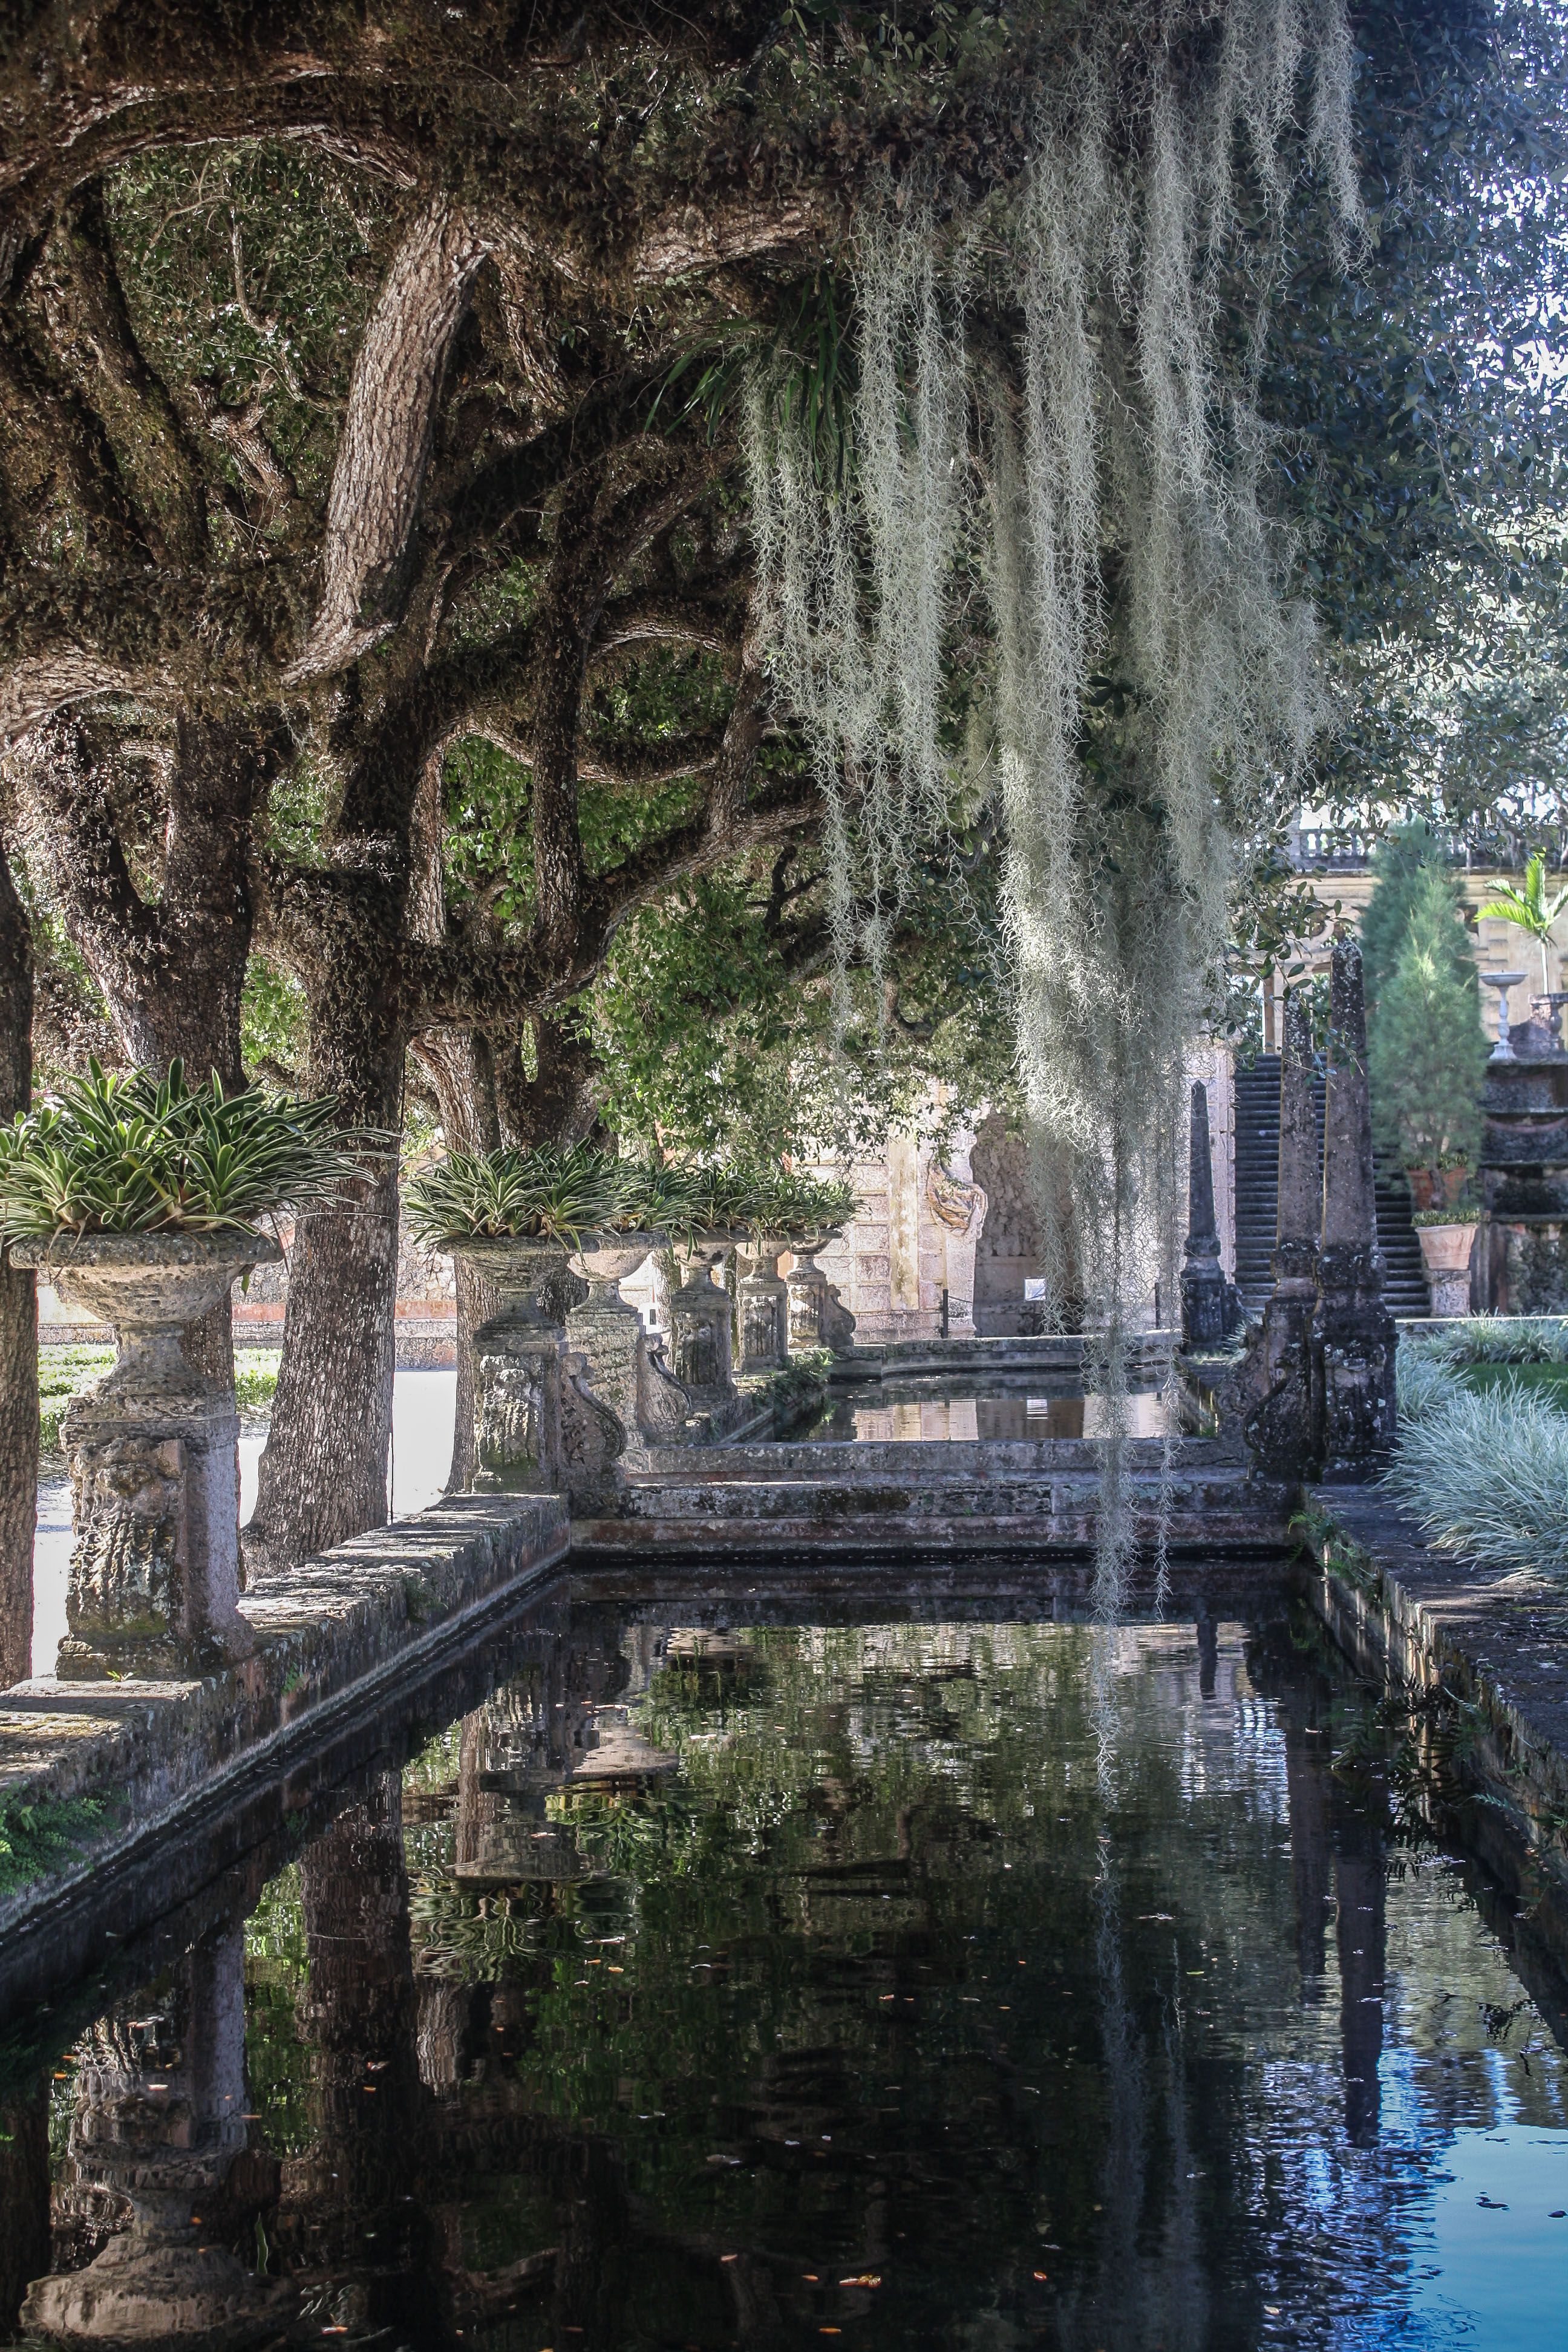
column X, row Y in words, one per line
column 140, row 1154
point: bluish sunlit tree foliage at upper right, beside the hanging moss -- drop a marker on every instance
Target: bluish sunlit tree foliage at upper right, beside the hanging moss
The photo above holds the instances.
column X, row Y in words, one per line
column 1421, row 422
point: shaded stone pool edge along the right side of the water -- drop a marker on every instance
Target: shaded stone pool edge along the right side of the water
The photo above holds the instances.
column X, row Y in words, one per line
column 1482, row 1659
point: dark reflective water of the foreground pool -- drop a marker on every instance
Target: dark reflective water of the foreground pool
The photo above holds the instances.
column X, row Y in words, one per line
column 918, row 1984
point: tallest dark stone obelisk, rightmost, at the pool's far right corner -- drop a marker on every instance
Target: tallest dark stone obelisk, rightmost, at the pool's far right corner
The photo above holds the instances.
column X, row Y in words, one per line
column 1353, row 1339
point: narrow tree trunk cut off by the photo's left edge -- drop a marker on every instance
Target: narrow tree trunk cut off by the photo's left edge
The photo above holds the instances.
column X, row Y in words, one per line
column 18, row 1314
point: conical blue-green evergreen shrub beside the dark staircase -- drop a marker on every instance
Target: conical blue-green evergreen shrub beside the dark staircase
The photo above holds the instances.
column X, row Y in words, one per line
column 1428, row 1050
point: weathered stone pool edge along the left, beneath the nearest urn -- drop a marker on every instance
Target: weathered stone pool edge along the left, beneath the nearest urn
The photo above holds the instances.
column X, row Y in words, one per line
column 328, row 1633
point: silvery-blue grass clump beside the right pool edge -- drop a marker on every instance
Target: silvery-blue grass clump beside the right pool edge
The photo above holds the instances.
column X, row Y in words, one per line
column 1485, row 1476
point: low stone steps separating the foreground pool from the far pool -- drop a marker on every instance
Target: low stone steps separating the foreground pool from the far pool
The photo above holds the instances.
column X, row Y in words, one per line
column 911, row 1502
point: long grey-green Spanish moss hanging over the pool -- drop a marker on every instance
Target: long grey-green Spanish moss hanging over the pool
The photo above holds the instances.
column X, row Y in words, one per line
column 1153, row 679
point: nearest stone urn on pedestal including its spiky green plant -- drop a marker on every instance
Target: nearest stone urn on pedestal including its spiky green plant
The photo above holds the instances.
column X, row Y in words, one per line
column 140, row 1198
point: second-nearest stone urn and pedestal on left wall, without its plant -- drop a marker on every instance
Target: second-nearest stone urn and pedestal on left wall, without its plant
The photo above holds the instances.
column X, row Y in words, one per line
column 518, row 1368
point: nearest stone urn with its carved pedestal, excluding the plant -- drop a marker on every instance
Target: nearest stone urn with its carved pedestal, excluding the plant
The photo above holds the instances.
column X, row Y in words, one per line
column 154, row 1457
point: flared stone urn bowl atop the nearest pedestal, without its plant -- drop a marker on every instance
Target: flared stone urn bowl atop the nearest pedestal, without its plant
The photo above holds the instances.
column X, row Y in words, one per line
column 149, row 1288
